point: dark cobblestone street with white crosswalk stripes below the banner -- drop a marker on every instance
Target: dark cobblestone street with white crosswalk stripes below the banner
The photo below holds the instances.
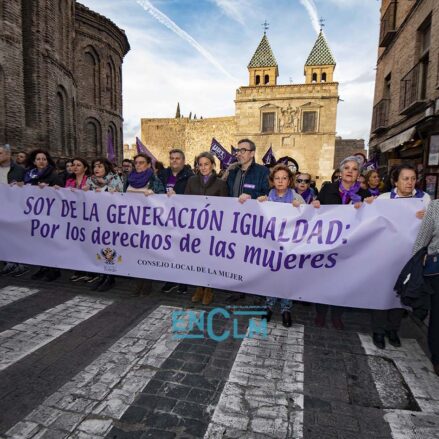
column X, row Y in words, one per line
column 78, row 364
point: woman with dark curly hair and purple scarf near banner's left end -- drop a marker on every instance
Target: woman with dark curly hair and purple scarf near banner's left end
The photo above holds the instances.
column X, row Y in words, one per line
column 42, row 172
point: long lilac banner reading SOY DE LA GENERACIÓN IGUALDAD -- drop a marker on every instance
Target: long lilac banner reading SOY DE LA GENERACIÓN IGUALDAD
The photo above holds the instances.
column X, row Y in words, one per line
column 336, row 254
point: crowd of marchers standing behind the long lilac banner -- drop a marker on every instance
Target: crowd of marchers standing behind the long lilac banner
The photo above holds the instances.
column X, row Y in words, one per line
column 245, row 179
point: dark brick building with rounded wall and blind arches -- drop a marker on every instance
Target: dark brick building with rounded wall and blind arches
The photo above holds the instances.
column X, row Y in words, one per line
column 60, row 78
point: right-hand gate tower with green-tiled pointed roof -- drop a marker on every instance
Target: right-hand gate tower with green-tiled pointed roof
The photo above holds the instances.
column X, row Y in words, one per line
column 320, row 65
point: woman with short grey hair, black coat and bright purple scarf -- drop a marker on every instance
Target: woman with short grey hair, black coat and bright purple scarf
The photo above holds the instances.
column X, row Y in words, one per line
column 346, row 190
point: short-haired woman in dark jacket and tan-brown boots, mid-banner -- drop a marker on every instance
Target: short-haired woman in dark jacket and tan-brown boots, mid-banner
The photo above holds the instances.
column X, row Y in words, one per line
column 206, row 182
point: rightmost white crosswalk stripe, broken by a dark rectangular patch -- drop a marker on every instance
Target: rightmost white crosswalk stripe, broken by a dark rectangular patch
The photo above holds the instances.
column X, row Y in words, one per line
column 417, row 371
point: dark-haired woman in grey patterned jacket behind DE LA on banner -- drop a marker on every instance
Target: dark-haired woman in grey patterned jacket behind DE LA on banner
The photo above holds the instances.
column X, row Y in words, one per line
column 103, row 179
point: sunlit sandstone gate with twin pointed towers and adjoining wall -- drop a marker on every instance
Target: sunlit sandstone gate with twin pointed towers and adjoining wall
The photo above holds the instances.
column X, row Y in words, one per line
column 297, row 120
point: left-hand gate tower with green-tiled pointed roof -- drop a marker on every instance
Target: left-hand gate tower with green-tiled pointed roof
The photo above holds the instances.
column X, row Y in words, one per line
column 263, row 68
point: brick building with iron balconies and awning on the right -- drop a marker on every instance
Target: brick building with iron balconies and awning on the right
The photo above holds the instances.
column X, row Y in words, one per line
column 405, row 124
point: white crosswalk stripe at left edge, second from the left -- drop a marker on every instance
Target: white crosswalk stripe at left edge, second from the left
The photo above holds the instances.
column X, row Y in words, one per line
column 27, row 337
